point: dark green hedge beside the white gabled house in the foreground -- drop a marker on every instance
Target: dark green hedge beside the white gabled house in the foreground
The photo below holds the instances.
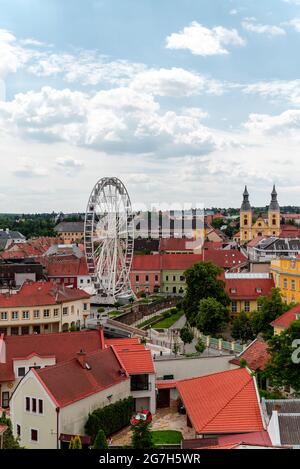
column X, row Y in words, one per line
column 110, row 419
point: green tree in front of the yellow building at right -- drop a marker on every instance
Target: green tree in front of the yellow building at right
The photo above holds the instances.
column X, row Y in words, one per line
column 270, row 308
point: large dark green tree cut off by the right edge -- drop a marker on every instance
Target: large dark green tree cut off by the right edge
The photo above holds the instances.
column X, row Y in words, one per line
column 283, row 368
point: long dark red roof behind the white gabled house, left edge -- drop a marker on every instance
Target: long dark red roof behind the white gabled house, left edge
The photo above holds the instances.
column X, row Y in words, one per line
column 63, row 346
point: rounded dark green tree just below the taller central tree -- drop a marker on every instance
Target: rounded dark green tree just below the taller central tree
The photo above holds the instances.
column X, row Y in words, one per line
column 212, row 316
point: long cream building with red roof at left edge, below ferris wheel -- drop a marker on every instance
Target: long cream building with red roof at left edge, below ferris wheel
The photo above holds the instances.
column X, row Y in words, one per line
column 43, row 307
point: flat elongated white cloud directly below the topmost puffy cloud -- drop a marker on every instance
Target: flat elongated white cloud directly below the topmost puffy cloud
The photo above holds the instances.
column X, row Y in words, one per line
column 174, row 82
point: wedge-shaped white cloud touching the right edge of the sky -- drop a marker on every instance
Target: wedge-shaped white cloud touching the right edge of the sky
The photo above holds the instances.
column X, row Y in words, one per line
column 282, row 90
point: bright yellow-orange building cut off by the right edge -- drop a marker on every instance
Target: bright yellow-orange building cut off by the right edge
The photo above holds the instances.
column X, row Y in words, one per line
column 286, row 274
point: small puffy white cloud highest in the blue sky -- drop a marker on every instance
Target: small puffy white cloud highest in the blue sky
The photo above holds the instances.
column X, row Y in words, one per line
column 200, row 40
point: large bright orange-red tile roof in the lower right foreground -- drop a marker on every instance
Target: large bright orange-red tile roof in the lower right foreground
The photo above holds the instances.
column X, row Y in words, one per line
column 224, row 402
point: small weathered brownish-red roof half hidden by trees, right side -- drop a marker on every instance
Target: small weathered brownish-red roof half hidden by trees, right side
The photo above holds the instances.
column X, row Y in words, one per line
column 256, row 355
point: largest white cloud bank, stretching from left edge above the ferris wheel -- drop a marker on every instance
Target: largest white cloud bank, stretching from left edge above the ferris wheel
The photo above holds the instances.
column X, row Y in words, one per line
column 117, row 120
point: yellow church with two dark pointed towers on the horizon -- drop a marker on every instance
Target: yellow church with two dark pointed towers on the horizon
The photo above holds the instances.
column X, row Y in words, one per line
column 263, row 226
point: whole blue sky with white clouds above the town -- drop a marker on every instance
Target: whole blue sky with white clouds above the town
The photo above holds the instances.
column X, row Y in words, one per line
column 184, row 100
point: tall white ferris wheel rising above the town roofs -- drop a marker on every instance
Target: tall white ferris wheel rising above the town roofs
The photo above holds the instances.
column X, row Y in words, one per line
column 109, row 238
